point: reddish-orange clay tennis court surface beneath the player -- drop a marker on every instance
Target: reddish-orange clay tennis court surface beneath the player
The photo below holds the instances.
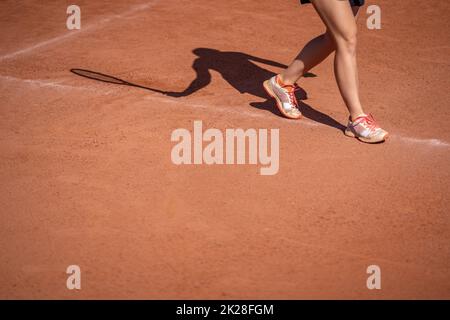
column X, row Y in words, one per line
column 86, row 176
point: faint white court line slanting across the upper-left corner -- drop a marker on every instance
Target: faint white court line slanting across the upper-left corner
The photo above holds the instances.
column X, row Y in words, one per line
column 71, row 33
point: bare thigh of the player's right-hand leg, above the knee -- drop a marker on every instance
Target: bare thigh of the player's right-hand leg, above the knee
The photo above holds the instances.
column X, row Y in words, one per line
column 338, row 16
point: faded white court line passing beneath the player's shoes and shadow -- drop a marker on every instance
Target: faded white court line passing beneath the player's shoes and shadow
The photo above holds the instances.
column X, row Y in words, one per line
column 438, row 143
